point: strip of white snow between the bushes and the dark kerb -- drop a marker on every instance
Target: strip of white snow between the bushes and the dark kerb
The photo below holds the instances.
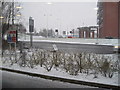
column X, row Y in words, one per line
column 63, row 74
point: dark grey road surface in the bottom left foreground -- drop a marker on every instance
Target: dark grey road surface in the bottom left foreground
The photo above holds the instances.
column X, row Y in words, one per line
column 13, row 80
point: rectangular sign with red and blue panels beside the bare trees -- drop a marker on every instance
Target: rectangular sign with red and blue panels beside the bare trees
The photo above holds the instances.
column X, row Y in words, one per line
column 11, row 36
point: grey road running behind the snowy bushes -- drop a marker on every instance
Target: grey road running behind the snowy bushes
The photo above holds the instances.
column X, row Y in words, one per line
column 68, row 47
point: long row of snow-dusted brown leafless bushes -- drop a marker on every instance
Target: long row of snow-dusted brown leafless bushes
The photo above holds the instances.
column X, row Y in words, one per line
column 72, row 63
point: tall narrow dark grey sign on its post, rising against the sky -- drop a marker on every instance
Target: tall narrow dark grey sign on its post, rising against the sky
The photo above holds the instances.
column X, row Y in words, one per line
column 31, row 29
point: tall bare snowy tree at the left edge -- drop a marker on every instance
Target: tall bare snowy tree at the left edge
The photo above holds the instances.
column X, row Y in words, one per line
column 9, row 12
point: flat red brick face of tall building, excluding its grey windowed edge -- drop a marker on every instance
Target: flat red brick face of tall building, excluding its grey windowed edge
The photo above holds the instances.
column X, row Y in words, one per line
column 110, row 20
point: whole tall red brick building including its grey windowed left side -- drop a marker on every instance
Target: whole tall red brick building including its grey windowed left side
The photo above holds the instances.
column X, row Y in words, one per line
column 108, row 19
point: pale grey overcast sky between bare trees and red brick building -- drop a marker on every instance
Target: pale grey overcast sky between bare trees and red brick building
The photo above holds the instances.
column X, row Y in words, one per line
column 60, row 15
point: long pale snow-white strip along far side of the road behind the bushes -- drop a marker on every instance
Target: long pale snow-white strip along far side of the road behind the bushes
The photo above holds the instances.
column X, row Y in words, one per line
column 73, row 40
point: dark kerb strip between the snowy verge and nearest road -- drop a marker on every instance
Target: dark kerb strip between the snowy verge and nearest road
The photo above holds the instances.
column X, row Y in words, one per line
column 62, row 79
